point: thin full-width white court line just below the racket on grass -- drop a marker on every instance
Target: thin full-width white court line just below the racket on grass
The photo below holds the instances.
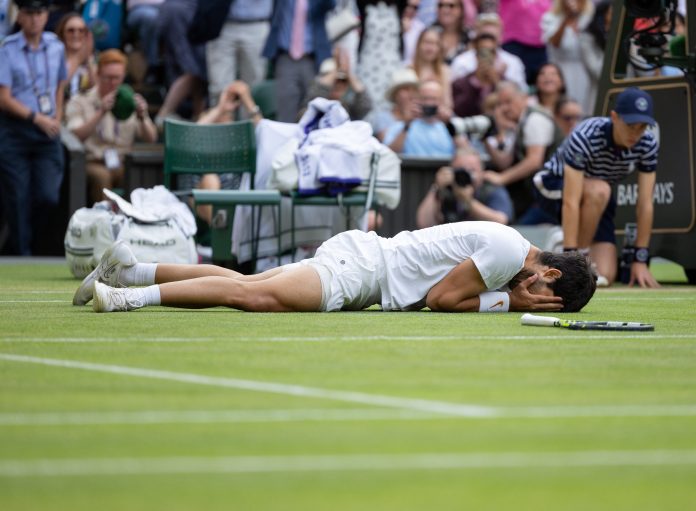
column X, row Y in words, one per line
column 553, row 334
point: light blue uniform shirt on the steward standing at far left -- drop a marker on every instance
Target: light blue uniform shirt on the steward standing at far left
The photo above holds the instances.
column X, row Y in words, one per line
column 29, row 72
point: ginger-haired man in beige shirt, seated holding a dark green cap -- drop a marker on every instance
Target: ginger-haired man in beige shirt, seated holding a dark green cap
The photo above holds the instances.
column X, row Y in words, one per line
column 107, row 119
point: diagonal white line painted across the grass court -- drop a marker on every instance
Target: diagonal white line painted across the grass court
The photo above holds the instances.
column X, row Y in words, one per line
column 422, row 405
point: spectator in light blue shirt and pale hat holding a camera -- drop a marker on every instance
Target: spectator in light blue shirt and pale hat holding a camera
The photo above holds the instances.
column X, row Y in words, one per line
column 425, row 135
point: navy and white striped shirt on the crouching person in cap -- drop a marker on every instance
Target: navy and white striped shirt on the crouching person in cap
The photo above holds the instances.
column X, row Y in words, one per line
column 590, row 148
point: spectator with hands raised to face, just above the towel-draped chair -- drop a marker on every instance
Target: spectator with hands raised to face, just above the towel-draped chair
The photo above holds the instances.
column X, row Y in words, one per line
column 337, row 81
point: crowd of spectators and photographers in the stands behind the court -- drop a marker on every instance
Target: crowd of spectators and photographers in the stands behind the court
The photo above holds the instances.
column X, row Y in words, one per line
column 411, row 68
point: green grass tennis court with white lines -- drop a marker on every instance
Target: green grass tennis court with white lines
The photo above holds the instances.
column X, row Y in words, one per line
column 219, row 410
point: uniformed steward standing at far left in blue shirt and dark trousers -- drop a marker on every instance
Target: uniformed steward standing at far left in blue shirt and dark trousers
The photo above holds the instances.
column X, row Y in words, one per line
column 32, row 79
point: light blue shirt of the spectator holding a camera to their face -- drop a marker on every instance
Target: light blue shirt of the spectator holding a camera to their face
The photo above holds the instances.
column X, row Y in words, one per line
column 423, row 139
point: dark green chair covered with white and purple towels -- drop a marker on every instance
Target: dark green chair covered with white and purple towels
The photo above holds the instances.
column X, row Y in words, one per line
column 346, row 201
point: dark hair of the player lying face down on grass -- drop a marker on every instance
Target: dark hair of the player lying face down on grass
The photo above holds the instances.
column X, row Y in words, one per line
column 578, row 281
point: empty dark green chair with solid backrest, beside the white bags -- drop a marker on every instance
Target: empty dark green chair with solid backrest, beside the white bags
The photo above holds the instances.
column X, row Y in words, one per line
column 191, row 148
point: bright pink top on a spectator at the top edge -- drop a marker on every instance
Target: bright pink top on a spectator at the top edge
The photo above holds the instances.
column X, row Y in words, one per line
column 522, row 20
